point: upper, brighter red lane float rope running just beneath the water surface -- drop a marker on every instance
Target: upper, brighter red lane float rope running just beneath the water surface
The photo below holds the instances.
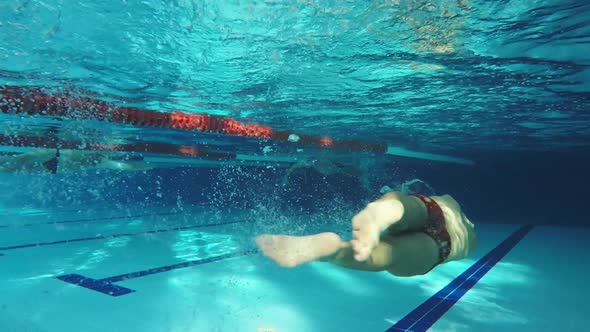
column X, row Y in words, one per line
column 35, row 102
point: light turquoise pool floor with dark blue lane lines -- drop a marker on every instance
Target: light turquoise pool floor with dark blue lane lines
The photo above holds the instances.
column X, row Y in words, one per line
column 193, row 270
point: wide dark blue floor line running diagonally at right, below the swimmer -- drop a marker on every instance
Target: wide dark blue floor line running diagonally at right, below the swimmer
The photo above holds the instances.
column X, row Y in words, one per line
column 426, row 314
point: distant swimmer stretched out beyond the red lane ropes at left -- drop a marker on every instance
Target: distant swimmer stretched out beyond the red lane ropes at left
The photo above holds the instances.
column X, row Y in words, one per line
column 54, row 161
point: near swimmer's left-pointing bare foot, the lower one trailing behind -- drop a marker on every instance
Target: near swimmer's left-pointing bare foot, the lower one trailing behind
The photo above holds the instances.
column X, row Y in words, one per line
column 291, row 251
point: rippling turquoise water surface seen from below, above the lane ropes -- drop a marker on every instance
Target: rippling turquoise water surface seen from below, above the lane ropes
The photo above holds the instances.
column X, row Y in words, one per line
column 436, row 74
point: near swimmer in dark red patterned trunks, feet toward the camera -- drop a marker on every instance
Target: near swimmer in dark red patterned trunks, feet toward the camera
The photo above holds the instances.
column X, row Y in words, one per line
column 405, row 235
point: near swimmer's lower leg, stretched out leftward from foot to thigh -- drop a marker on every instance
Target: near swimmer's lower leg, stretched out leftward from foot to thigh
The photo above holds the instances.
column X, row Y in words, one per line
column 404, row 255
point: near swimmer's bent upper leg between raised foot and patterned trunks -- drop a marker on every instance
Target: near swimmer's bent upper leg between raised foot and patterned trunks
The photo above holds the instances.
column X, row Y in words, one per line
column 413, row 212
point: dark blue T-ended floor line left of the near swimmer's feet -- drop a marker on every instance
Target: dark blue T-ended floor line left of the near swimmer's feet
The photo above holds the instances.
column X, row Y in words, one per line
column 107, row 286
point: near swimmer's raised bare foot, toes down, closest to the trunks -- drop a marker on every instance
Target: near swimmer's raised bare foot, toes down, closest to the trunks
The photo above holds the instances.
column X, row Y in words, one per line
column 370, row 222
